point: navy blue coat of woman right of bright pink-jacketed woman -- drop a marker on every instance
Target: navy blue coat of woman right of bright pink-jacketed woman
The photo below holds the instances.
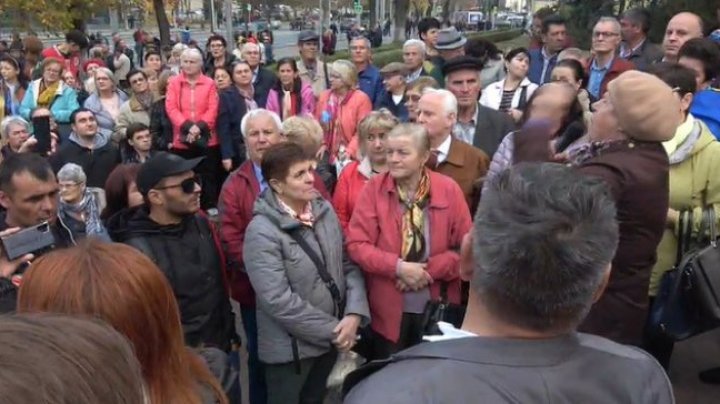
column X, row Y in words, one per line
column 230, row 113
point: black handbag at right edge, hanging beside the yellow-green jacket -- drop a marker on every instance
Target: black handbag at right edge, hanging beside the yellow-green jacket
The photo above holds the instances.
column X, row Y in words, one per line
column 688, row 302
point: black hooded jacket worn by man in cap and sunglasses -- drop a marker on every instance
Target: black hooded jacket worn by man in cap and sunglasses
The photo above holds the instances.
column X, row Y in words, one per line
column 189, row 255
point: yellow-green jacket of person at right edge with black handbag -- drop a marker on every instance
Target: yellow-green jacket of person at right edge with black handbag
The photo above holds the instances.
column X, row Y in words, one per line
column 694, row 183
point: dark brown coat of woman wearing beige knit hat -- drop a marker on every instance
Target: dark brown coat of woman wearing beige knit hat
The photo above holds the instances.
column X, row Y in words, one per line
column 637, row 175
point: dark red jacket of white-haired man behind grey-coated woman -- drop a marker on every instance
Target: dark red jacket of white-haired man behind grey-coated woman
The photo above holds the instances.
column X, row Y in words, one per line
column 237, row 200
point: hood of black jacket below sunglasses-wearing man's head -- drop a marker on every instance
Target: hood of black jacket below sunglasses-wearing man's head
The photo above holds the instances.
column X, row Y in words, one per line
column 137, row 222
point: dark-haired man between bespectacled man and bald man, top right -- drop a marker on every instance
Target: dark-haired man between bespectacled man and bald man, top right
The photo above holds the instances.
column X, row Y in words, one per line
column 636, row 47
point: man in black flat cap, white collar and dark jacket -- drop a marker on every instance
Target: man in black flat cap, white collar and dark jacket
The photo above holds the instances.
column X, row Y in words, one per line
column 477, row 125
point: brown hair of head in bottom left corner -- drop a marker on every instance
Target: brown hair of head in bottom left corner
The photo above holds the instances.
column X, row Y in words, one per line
column 66, row 360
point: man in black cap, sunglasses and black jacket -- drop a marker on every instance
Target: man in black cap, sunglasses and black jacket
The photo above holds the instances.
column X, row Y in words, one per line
column 171, row 230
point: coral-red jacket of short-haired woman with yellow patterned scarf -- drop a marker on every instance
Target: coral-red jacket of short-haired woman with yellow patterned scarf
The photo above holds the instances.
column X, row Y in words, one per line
column 374, row 243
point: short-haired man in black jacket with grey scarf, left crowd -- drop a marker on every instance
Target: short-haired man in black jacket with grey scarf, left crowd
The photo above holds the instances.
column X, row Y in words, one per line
column 89, row 148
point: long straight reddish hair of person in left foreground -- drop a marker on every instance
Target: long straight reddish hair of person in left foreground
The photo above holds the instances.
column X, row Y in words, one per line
column 120, row 285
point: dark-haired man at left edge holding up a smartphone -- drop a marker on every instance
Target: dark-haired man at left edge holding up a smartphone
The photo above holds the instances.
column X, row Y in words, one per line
column 29, row 196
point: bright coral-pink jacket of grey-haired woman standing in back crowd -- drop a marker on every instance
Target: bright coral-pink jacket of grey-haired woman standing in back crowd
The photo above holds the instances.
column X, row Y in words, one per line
column 192, row 103
